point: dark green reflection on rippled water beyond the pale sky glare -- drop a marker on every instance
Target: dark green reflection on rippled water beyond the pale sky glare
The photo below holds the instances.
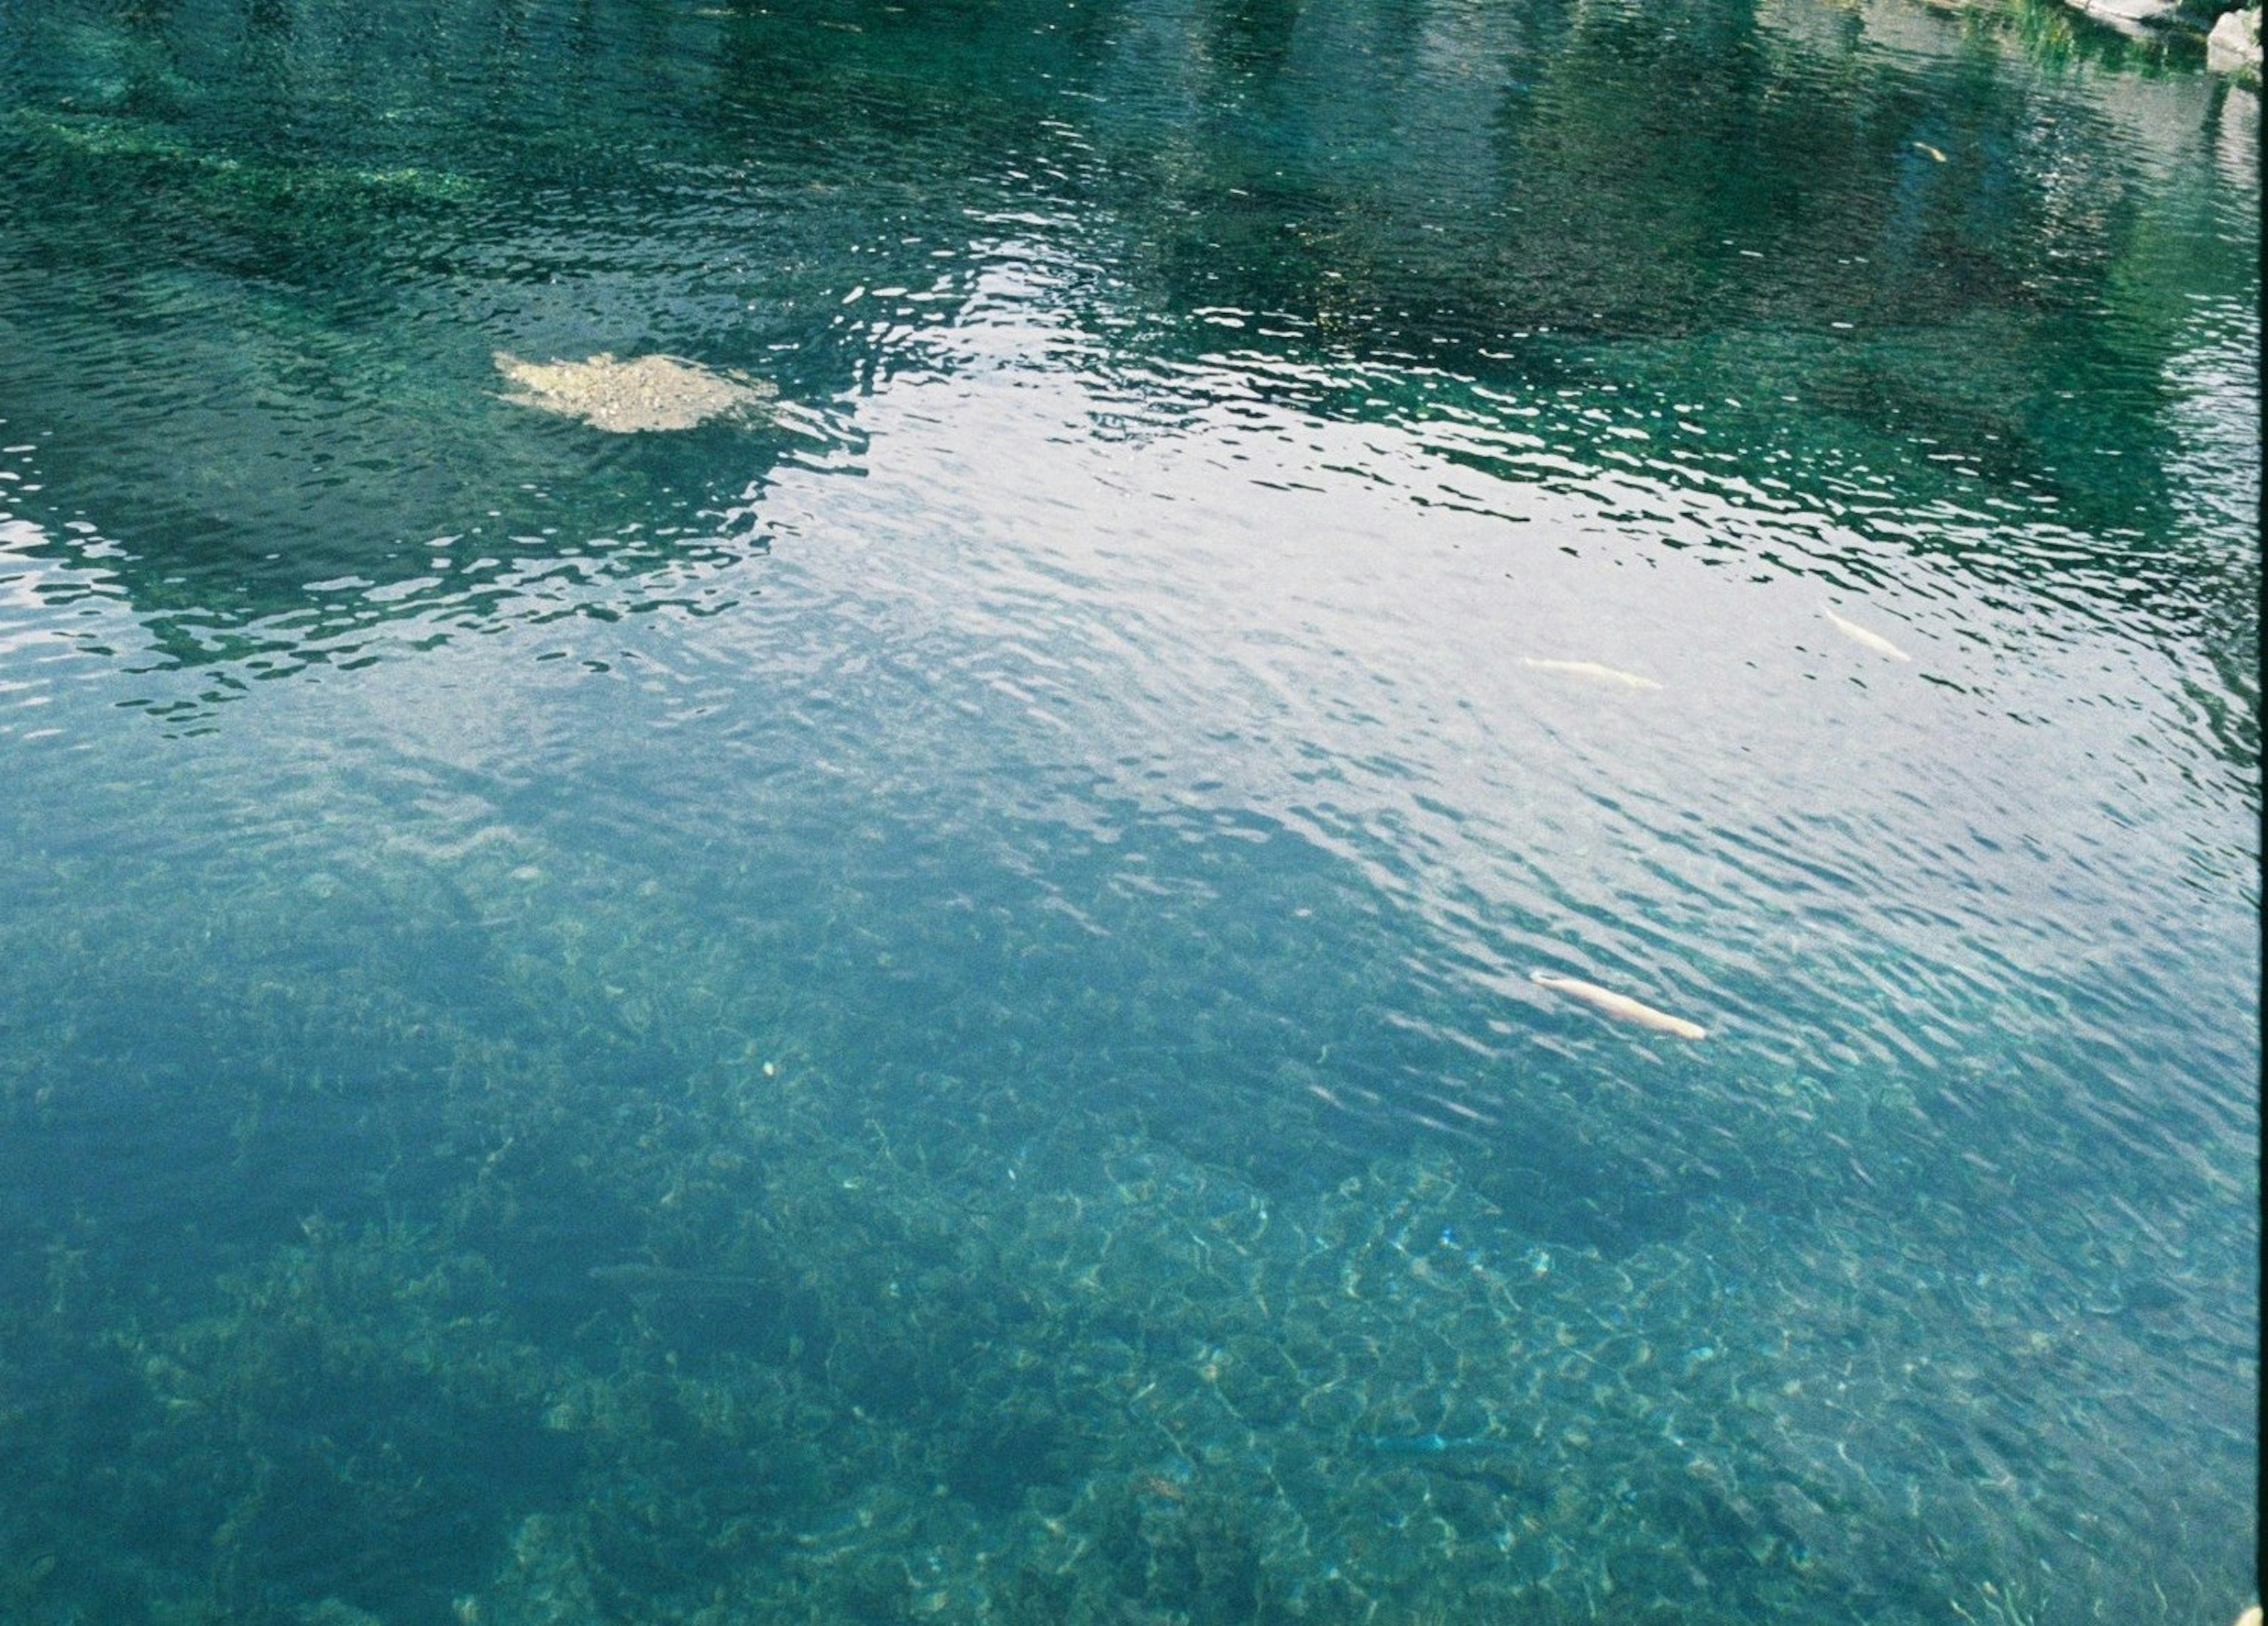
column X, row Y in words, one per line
column 291, row 242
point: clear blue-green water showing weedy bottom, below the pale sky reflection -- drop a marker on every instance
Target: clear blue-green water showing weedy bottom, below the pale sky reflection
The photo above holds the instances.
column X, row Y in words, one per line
column 570, row 1253
